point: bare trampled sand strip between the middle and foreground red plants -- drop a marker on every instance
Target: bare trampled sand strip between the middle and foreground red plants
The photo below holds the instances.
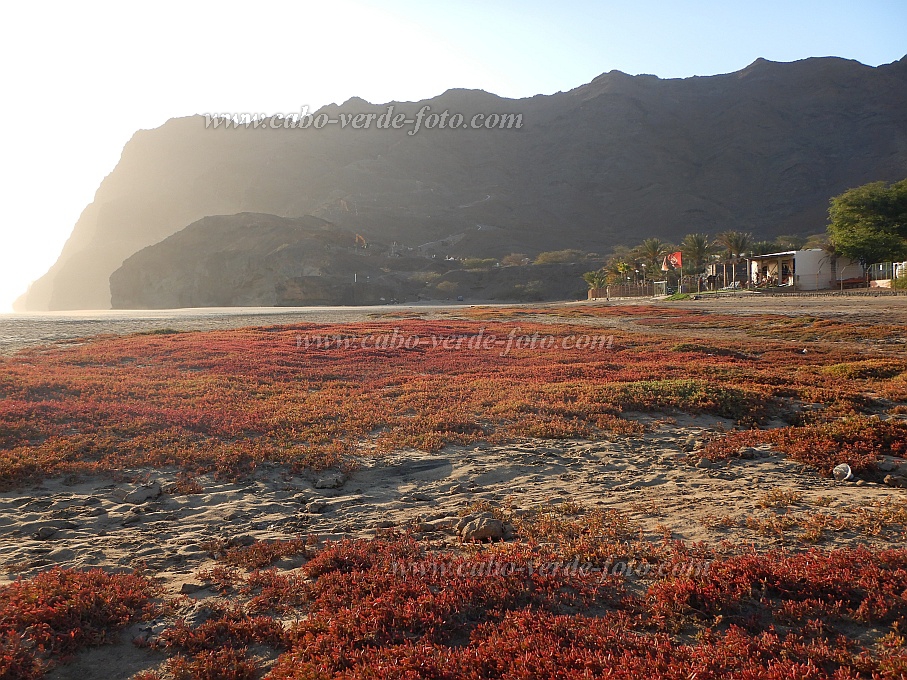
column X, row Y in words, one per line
column 90, row 522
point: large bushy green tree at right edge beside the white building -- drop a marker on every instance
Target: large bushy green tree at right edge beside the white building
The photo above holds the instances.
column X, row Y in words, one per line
column 869, row 223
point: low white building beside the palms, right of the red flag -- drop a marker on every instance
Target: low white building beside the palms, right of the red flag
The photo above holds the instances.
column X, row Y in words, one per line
column 811, row 269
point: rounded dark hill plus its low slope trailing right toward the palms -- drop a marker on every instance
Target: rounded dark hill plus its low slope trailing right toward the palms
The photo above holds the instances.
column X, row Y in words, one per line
column 258, row 260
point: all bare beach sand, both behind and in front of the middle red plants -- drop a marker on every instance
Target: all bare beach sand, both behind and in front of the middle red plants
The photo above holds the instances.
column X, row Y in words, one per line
column 656, row 479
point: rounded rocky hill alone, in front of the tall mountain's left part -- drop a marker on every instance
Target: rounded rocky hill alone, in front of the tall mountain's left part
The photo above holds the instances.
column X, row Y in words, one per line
column 252, row 259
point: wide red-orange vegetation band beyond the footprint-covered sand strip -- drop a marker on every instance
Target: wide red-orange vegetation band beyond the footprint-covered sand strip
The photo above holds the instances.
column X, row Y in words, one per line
column 310, row 396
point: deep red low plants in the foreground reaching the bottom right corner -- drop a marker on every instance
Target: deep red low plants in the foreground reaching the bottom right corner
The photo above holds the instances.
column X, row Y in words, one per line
column 397, row 609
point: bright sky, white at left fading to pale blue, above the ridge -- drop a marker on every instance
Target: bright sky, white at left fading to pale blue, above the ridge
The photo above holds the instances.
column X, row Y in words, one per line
column 79, row 78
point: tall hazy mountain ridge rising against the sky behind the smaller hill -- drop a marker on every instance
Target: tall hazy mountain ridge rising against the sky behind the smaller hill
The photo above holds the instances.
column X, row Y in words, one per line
column 613, row 161
